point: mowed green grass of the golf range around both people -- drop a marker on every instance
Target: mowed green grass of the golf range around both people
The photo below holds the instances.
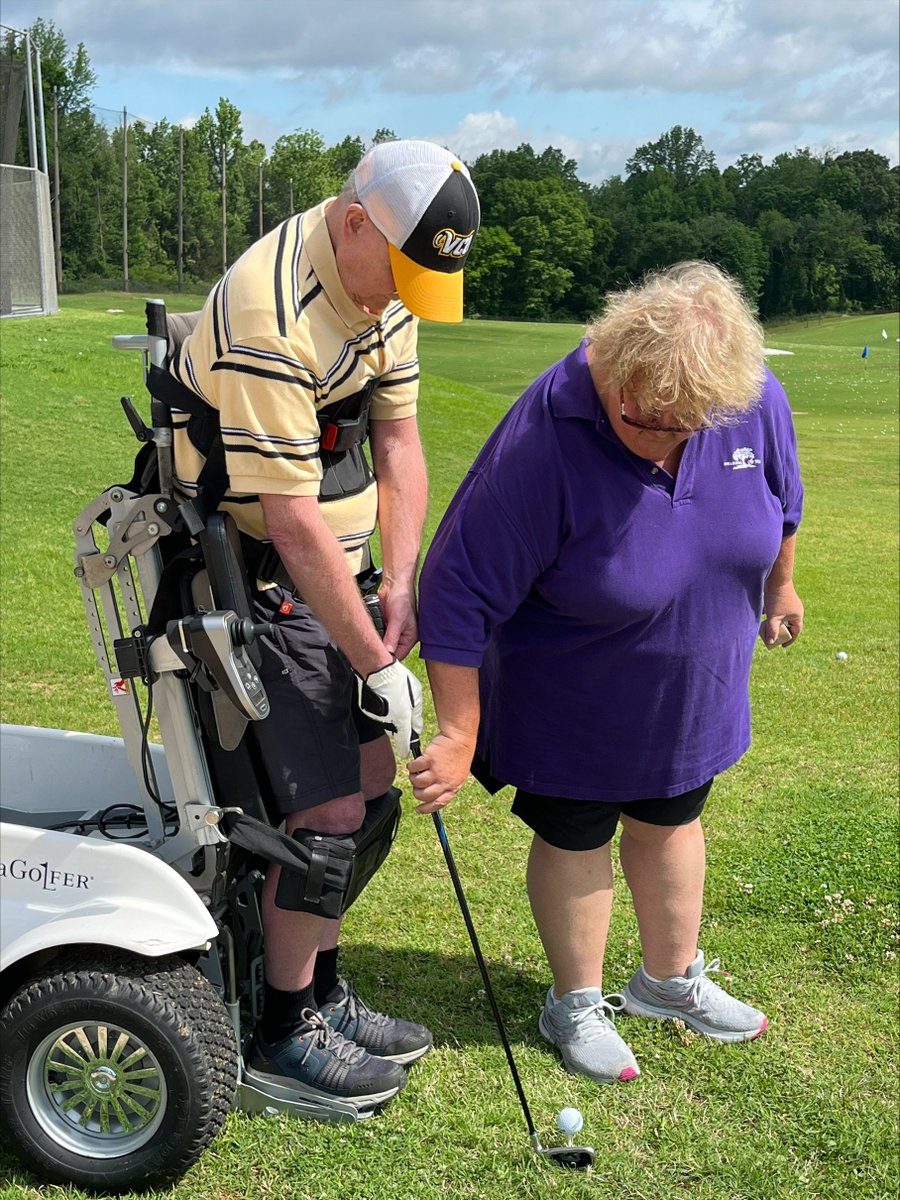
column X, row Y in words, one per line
column 803, row 875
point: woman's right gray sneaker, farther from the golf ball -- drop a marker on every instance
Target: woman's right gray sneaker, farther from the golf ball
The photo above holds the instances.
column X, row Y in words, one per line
column 698, row 1001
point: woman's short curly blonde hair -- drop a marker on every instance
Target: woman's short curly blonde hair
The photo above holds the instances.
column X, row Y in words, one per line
column 685, row 343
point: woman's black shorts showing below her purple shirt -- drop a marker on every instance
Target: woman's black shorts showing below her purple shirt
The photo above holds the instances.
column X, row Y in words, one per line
column 589, row 825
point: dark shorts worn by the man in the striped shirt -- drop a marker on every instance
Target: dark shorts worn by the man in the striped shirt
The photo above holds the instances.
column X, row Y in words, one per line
column 310, row 741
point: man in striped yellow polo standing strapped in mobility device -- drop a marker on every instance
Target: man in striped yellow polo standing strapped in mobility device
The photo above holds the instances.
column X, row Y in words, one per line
column 307, row 345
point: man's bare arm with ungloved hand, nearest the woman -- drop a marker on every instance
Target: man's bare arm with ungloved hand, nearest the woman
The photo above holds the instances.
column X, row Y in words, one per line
column 403, row 499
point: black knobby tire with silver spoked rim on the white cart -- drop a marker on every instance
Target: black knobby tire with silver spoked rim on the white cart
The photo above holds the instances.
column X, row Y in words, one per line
column 136, row 1119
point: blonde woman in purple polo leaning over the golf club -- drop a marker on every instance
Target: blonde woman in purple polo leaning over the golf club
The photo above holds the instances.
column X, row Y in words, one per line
column 590, row 608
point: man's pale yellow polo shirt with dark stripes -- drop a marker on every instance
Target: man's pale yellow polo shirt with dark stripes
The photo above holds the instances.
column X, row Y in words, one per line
column 278, row 340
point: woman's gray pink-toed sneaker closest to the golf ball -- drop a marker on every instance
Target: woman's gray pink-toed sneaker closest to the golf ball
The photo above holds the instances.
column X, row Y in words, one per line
column 583, row 1027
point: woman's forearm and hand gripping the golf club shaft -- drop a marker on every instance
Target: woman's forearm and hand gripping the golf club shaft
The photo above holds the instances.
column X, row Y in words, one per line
column 443, row 767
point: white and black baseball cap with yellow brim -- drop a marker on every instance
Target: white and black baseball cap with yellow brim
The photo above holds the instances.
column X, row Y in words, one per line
column 422, row 199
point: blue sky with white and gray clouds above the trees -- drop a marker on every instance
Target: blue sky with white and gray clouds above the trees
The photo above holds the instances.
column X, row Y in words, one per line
column 596, row 79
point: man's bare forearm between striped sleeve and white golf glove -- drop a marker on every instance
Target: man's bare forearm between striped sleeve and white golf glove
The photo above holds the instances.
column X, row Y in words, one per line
column 317, row 566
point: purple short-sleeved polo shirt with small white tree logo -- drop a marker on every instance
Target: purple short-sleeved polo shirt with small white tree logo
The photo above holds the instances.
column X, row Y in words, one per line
column 611, row 609
